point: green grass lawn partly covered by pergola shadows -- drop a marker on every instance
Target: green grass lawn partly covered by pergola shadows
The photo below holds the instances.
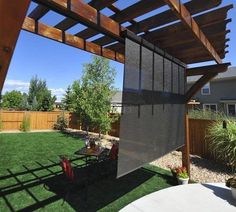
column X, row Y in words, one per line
column 31, row 179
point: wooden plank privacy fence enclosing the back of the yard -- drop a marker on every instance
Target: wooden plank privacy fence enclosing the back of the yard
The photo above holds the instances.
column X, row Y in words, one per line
column 45, row 120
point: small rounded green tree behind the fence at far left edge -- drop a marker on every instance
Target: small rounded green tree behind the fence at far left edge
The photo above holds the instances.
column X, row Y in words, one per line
column 12, row 100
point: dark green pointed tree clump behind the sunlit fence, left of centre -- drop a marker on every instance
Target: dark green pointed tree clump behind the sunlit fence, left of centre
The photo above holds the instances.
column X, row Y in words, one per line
column 40, row 97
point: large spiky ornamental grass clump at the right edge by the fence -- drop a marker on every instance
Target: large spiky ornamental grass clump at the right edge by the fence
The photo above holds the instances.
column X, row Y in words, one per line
column 222, row 141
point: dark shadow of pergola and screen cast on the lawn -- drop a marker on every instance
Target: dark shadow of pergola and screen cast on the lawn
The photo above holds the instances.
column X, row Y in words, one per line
column 96, row 186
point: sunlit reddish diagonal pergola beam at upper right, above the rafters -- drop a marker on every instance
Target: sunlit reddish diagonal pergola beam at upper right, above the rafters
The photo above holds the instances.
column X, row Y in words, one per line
column 181, row 11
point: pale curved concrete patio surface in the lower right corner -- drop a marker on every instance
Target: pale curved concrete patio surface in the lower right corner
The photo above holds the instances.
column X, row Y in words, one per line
column 214, row 197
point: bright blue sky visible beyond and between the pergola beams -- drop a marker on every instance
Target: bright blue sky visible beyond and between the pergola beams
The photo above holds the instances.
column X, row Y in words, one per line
column 60, row 65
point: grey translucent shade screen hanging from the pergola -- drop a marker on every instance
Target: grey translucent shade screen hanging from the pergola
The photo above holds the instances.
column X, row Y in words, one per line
column 152, row 120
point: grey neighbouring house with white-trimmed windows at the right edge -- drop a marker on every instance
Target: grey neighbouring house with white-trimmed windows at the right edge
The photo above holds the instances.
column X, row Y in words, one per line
column 219, row 94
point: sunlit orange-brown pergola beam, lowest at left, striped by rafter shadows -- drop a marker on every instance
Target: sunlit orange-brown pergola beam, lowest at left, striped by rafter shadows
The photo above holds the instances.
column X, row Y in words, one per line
column 53, row 33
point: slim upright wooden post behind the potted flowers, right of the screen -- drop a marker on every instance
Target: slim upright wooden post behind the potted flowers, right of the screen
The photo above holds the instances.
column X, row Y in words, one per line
column 186, row 148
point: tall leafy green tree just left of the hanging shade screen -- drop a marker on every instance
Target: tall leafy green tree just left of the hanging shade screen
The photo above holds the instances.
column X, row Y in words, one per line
column 95, row 94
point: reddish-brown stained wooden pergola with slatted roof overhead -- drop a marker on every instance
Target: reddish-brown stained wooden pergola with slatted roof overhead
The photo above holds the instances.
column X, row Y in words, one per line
column 191, row 32
